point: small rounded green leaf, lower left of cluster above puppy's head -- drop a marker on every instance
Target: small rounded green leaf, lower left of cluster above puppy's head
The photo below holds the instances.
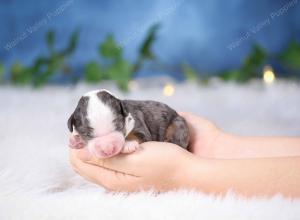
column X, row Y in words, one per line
column 93, row 72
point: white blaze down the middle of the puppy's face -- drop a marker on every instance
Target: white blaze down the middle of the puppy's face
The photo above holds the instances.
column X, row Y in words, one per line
column 99, row 115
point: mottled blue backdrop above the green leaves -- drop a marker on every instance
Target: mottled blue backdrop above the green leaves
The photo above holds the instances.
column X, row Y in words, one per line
column 210, row 35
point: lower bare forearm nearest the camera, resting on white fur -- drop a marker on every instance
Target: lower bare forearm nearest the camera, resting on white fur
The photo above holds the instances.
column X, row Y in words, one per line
column 251, row 177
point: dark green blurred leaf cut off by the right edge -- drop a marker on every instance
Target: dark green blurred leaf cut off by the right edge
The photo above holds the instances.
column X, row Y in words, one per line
column 291, row 55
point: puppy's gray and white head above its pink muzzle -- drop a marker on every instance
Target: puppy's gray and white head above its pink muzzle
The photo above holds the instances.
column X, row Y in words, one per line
column 98, row 113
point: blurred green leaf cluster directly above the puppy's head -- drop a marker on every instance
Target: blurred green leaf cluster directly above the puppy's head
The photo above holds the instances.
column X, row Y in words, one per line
column 113, row 65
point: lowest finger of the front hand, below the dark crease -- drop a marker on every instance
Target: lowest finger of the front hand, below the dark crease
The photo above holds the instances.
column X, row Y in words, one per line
column 109, row 179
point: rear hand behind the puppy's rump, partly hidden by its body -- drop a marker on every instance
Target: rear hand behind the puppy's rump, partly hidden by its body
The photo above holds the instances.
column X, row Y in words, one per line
column 203, row 135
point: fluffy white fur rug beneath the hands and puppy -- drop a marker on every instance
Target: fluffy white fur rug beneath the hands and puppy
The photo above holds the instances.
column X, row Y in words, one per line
column 36, row 181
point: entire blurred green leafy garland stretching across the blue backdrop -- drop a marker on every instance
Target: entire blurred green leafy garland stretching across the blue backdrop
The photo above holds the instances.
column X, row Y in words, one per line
column 112, row 64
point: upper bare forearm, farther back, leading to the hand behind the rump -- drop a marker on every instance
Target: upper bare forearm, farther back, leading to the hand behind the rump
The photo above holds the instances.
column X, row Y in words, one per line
column 229, row 146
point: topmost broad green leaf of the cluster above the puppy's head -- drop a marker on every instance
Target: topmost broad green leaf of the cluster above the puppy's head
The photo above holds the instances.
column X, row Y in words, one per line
column 110, row 49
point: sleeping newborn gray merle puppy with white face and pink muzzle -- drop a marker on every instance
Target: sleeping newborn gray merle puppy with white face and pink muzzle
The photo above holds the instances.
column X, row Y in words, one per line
column 108, row 125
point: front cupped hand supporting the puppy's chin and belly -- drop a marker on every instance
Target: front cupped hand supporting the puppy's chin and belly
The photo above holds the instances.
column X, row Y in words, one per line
column 156, row 165
